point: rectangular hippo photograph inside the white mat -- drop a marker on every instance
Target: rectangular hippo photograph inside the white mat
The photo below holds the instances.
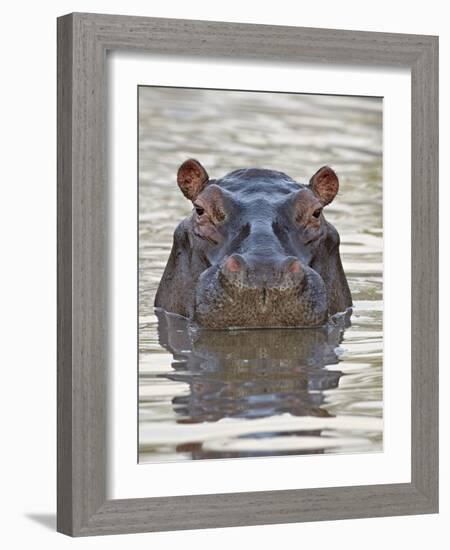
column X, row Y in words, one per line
column 260, row 271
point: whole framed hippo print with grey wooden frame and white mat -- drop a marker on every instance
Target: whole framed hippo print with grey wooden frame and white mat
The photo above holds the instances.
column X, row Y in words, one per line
column 247, row 274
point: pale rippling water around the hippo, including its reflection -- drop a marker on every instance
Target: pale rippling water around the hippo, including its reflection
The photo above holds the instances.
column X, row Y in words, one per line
column 265, row 392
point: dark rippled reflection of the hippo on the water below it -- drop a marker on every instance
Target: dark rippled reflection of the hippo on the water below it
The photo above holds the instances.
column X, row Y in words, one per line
column 251, row 373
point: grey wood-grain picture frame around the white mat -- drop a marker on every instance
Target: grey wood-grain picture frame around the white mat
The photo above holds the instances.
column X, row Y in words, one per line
column 83, row 40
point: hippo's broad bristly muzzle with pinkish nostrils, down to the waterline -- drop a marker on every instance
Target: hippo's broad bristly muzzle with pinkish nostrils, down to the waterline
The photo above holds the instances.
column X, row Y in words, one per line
column 258, row 292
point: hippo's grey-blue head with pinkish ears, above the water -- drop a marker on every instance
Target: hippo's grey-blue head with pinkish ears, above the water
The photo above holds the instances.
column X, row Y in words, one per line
column 256, row 251
